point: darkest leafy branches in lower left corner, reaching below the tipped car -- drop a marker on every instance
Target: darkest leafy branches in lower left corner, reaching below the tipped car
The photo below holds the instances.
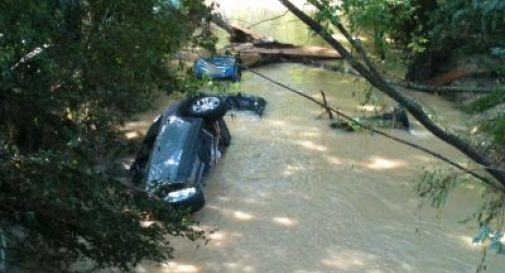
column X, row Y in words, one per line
column 72, row 212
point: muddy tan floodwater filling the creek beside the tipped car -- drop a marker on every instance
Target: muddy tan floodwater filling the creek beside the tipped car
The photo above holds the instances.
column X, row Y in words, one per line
column 293, row 195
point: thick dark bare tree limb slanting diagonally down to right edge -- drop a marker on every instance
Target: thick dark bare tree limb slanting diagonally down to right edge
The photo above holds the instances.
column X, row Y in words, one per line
column 371, row 74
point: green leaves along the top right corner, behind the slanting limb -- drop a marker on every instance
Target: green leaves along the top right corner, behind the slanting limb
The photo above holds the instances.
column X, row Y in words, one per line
column 417, row 26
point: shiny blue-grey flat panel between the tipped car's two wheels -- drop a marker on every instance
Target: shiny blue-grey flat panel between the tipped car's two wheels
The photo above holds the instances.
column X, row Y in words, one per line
column 167, row 151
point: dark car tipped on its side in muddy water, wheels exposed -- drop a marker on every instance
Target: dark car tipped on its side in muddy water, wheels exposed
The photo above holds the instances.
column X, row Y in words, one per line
column 181, row 146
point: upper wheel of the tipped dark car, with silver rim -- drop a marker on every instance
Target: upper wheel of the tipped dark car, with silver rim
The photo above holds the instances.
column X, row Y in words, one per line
column 210, row 108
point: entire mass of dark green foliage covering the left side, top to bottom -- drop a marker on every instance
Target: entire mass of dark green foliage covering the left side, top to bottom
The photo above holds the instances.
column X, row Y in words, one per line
column 71, row 72
